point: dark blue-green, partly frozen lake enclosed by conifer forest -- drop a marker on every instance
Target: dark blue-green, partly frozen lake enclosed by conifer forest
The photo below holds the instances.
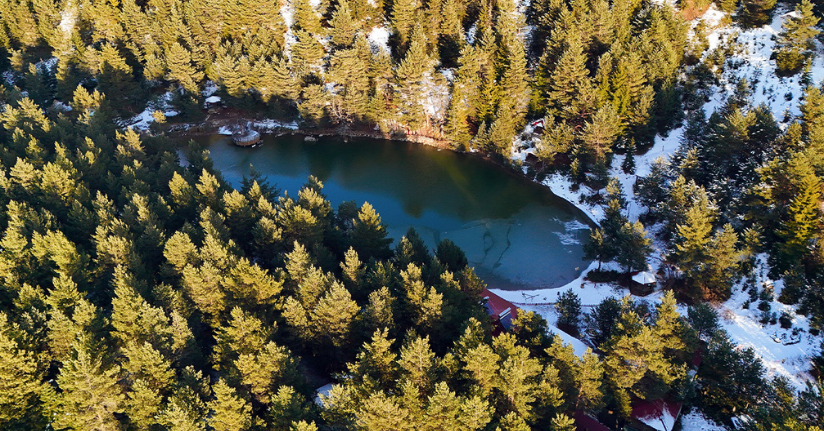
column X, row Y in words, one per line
column 515, row 233
